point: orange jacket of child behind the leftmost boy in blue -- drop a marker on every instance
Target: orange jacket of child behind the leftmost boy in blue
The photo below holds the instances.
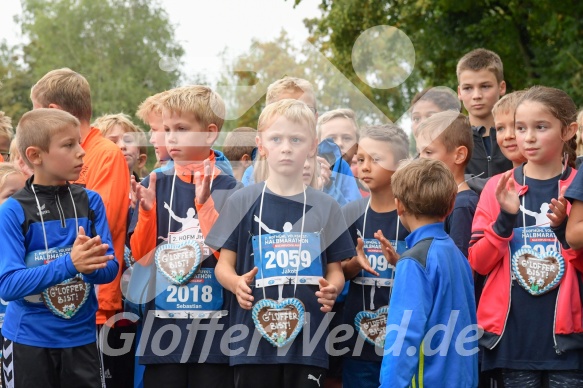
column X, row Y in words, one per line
column 105, row 171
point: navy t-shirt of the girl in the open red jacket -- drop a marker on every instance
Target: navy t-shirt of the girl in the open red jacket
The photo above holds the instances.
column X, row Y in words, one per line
column 528, row 342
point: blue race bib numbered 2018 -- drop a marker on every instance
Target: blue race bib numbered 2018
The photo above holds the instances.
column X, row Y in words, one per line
column 200, row 298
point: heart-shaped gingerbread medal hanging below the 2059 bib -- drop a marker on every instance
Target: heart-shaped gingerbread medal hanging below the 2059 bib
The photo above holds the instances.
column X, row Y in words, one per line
column 279, row 322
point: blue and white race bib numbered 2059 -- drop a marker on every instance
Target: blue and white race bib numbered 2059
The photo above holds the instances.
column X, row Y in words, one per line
column 280, row 259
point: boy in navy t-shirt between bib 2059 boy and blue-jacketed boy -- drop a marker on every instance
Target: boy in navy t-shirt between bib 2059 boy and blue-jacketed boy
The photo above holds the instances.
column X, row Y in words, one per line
column 380, row 149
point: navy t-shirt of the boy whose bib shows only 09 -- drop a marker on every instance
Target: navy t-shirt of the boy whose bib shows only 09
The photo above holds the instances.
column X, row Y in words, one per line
column 358, row 293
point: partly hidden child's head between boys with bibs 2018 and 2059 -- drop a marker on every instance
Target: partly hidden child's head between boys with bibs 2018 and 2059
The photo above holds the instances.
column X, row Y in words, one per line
column 239, row 147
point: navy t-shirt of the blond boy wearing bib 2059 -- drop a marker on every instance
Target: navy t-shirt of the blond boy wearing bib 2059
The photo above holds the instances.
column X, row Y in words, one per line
column 238, row 223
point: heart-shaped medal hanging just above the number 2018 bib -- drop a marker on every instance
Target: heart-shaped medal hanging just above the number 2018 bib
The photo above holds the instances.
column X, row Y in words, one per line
column 178, row 262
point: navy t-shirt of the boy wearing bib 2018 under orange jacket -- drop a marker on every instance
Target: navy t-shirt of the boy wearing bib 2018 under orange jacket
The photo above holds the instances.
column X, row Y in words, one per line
column 171, row 340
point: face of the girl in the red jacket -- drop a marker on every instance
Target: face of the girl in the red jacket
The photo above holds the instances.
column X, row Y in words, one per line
column 538, row 133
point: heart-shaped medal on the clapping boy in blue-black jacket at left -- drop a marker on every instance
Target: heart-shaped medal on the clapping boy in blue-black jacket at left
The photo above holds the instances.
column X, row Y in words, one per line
column 66, row 299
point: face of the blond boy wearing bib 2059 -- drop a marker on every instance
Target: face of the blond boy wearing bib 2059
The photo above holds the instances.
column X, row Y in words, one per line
column 286, row 146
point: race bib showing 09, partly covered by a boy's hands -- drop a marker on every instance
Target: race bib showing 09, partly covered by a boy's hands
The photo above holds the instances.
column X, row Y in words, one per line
column 378, row 262
